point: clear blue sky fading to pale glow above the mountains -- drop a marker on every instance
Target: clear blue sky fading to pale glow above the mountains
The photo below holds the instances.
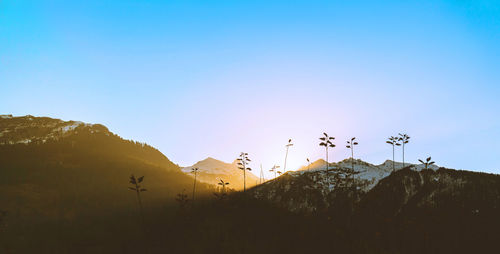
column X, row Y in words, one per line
column 216, row 78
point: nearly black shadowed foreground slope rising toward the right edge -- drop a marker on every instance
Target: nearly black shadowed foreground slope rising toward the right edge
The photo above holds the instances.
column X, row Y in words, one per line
column 427, row 211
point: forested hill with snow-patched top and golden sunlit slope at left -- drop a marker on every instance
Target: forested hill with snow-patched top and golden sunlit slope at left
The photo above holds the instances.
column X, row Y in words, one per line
column 64, row 186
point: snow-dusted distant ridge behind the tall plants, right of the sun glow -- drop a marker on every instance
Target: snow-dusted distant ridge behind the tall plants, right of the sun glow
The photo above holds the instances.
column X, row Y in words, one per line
column 311, row 189
